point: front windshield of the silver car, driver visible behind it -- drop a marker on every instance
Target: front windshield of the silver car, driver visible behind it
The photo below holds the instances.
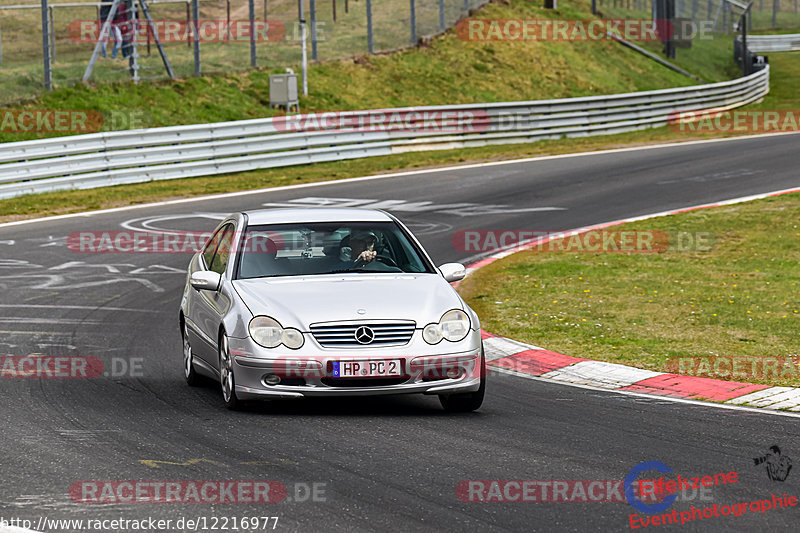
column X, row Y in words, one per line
column 328, row 248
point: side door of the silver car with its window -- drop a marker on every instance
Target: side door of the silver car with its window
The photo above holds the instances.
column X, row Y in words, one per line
column 208, row 307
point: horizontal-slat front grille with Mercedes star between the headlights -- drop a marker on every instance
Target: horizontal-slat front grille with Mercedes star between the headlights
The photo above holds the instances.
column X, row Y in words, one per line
column 343, row 335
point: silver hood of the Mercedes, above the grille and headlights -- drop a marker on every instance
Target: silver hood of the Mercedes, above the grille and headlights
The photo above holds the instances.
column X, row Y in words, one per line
column 301, row 301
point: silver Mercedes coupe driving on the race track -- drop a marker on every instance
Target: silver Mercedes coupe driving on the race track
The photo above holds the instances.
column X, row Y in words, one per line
column 293, row 303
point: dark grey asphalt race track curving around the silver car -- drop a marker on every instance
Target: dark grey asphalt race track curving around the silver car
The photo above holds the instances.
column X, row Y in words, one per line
column 388, row 463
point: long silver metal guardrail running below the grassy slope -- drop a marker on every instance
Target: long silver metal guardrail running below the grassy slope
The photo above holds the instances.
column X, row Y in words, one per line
column 135, row 156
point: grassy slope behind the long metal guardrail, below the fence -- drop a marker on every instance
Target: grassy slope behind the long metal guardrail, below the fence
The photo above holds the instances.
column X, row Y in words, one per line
column 447, row 70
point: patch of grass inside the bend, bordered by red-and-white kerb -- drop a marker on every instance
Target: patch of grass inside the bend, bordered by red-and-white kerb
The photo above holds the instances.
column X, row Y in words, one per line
column 738, row 300
